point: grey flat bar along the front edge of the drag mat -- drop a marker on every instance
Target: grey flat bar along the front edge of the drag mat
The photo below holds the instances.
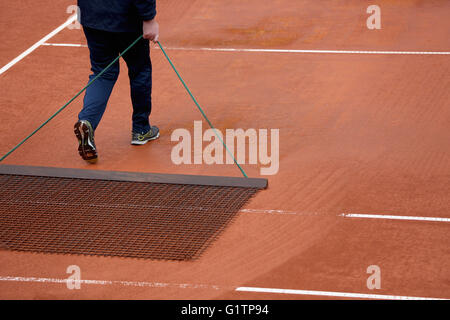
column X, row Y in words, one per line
column 219, row 181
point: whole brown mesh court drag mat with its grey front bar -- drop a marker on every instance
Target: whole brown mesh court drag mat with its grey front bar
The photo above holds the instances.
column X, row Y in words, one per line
column 122, row 214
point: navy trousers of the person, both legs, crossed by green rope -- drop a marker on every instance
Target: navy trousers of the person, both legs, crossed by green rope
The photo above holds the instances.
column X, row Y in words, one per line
column 104, row 47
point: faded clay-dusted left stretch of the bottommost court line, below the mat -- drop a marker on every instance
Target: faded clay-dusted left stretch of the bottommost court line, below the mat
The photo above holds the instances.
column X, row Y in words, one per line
column 110, row 282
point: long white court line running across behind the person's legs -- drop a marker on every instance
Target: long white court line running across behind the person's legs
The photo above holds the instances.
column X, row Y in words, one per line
column 281, row 50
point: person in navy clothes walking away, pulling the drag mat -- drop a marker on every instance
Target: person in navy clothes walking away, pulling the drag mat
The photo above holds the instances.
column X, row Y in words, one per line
column 110, row 26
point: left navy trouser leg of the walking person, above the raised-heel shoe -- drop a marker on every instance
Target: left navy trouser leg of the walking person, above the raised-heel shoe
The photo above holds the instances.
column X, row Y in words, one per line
column 102, row 52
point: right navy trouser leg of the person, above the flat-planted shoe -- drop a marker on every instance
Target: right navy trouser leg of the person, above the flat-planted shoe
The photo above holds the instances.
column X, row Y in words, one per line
column 140, row 74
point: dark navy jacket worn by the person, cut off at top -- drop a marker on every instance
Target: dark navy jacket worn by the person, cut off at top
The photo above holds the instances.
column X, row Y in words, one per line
column 116, row 15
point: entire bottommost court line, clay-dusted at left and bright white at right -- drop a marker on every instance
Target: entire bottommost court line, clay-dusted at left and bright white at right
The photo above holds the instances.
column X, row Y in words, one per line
column 203, row 286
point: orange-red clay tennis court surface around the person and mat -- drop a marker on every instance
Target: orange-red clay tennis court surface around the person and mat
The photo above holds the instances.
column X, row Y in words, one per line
column 364, row 154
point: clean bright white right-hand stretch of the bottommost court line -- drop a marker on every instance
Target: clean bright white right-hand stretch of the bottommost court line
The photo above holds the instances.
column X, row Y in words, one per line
column 332, row 294
